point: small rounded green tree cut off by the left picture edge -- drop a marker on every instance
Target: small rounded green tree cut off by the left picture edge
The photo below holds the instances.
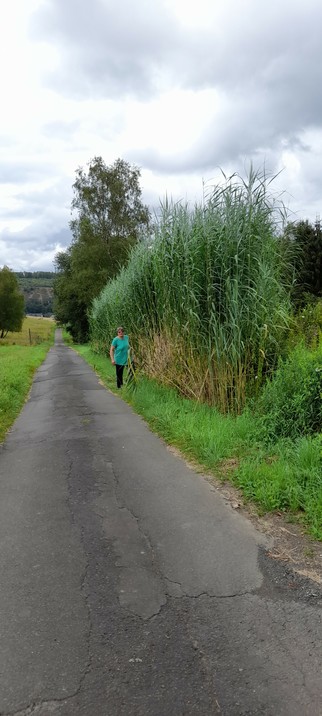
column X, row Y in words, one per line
column 11, row 303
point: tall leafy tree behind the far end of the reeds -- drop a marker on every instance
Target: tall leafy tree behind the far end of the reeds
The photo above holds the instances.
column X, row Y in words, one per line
column 108, row 219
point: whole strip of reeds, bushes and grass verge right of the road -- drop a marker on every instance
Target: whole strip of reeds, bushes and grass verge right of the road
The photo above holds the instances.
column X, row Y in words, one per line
column 223, row 308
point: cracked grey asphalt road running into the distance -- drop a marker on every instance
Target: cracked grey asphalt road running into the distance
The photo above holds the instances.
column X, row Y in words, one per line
column 128, row 585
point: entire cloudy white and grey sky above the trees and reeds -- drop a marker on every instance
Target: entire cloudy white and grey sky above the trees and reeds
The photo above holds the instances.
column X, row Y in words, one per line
column 181, row 88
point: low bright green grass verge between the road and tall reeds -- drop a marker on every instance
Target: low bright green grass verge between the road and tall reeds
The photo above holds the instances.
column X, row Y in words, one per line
column 284, row 475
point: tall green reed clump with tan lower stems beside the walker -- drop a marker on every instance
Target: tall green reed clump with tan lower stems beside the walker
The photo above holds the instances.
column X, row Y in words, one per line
column 205, row 303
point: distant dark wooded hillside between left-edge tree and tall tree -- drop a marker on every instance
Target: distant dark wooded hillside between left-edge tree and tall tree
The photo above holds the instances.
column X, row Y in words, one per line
column 38, row 292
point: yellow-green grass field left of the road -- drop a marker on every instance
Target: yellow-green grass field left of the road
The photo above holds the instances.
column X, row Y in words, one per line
column 20, row 356
